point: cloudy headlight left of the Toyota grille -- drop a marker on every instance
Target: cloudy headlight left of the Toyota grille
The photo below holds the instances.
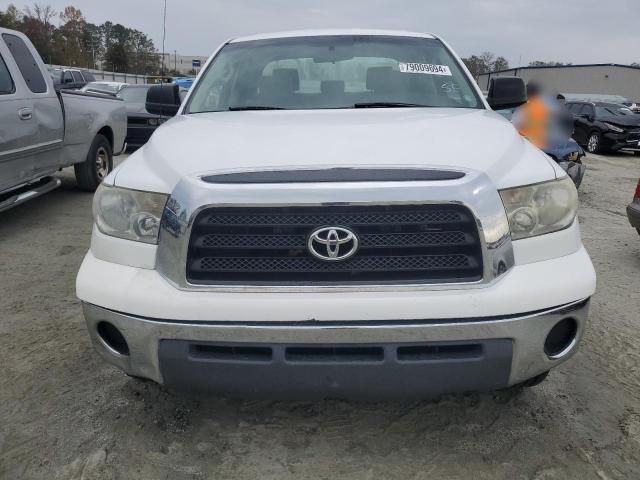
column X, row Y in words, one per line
column 128, row 214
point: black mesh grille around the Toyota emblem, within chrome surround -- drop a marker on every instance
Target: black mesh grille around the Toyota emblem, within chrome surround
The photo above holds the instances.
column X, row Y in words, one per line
column 399, row 244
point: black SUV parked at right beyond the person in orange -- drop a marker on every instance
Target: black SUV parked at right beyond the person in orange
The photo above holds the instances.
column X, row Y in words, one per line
column 602, row 127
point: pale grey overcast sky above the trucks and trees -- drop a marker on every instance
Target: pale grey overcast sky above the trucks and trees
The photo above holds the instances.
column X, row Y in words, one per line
column 578, row 31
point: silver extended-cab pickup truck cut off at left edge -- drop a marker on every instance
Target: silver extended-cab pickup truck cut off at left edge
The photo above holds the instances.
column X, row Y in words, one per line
column 42, row 131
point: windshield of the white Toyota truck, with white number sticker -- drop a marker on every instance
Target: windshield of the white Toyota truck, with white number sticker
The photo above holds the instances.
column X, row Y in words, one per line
column 333, row 72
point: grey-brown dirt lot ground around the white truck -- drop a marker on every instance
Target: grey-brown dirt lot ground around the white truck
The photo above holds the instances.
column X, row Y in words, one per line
column 65, row 414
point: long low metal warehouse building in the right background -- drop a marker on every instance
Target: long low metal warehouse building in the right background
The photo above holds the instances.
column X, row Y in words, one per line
column 610, row 79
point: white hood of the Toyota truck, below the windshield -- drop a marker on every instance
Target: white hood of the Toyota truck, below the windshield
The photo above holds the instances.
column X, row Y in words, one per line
column 460, row 139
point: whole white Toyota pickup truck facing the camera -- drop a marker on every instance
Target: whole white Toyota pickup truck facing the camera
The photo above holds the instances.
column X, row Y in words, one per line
column 337, row 214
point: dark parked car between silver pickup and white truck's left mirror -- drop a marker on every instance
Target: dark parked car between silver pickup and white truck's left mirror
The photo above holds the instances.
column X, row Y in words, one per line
column 140, row 123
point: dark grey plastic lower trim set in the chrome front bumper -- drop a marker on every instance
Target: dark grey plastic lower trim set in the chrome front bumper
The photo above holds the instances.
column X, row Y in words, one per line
column 362, row 371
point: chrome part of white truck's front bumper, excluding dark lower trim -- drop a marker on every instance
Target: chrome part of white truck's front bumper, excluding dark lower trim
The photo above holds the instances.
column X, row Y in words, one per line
column 526, row 332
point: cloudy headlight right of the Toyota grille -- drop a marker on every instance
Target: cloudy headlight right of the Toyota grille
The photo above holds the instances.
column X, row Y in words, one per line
column 541, row 208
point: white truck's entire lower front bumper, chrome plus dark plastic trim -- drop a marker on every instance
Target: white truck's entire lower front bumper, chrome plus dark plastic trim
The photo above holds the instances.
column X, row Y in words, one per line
column 367, row 359
